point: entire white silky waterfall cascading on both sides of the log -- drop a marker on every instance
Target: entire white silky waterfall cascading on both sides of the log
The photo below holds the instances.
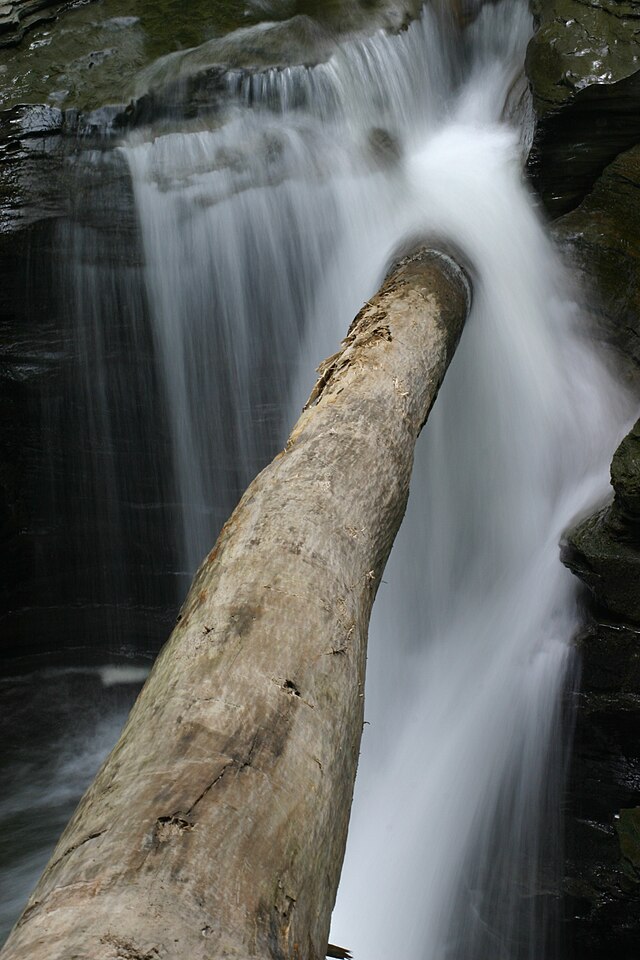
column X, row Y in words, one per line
column 261, row 237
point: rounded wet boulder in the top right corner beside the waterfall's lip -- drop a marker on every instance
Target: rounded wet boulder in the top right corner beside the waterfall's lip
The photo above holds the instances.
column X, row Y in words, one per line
column 584, row 71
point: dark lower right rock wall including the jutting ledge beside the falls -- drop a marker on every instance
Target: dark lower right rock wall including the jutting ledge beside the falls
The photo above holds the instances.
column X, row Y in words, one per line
column 602, row 880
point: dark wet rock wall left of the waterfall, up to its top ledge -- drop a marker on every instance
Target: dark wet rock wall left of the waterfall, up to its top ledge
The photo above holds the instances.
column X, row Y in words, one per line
column 86, row 525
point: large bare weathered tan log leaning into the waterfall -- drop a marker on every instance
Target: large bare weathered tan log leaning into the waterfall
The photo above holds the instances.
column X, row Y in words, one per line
column 217, row 826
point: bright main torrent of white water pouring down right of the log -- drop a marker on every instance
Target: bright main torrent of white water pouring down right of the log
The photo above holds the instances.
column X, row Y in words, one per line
column 455, row 829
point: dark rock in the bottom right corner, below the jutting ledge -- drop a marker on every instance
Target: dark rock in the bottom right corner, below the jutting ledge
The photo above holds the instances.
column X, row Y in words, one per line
column 601, row 885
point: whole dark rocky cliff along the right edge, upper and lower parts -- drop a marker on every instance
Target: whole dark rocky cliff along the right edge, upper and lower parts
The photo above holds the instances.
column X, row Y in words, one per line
column 584, row 69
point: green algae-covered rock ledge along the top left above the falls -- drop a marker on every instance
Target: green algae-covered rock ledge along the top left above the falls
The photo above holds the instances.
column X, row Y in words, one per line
column 93, row 53
